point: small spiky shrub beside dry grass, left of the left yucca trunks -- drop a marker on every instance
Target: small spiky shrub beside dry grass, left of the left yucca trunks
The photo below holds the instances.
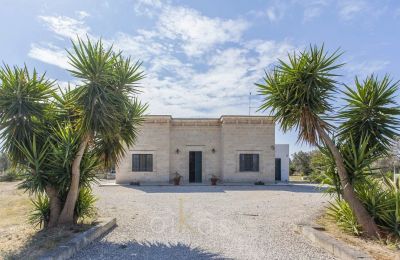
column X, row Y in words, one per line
column 41, row 213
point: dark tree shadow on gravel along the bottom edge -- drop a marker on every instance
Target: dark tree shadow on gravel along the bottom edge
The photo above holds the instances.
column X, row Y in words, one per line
column 145, row 250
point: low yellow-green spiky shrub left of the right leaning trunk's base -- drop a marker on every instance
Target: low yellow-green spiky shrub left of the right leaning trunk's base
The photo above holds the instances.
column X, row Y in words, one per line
column 342, row 214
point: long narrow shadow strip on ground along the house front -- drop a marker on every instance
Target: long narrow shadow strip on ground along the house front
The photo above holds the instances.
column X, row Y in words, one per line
column 301, row 188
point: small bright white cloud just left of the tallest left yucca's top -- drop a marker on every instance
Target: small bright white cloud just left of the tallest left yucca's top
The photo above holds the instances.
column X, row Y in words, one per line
column 50, row 54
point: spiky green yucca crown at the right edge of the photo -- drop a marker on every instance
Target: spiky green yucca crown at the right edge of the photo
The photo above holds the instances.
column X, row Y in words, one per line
column 372, row 111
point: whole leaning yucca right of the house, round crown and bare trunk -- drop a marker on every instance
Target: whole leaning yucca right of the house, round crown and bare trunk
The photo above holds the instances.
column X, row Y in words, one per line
column 299, row 93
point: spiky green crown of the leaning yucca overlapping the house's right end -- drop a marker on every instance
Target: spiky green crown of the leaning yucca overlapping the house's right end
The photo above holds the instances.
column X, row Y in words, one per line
column 298, row 92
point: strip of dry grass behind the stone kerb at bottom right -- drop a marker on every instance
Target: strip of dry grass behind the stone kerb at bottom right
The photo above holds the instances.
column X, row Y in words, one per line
column 382, row 250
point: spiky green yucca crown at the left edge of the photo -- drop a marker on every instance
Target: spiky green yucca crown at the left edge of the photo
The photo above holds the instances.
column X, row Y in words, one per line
column 24, row 103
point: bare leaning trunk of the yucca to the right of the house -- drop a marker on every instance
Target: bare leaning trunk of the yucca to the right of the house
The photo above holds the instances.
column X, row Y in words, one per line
column 363, row 217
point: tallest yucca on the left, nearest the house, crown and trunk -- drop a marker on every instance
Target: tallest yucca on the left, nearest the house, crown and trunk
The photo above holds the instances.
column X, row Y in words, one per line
column 106, row 116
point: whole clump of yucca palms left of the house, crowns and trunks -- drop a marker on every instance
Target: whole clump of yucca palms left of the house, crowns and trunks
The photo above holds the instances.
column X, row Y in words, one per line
column 62, row 137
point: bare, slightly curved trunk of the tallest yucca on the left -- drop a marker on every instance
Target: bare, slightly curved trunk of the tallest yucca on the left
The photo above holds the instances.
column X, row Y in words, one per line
column 67, row 214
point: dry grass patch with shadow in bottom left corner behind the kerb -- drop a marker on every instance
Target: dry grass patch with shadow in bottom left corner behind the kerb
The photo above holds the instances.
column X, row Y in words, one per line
column 19, row 239
